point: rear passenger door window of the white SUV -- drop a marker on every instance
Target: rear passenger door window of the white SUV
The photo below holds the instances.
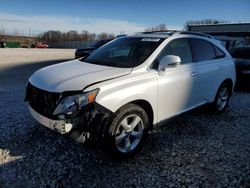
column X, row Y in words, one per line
column 202, row 50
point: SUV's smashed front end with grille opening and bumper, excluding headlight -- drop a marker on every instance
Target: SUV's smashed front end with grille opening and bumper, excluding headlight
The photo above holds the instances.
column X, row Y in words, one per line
column 91, row 118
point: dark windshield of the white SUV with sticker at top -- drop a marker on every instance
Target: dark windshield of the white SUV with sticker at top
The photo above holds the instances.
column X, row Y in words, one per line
column 124, row 52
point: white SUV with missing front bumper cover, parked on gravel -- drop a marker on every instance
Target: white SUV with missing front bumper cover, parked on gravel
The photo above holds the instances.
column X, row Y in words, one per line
column 130, row 85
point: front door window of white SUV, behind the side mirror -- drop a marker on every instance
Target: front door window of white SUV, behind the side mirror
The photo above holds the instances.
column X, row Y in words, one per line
column 178, row 47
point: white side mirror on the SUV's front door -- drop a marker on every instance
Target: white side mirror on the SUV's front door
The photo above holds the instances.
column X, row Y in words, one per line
column 169, row 60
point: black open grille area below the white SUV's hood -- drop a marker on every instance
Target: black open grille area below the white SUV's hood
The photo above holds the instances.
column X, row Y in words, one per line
column 43, row 102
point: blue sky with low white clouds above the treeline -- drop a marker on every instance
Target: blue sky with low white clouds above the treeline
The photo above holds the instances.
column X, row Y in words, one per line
column 113, row 16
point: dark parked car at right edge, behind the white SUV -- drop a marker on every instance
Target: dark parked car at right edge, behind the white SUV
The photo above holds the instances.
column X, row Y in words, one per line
column 241, row 56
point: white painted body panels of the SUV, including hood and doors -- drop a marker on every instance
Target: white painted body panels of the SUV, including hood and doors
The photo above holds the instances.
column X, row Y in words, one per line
column 171, row 92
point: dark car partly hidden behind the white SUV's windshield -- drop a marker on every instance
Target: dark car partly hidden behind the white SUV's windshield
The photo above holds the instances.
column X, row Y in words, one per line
column 84, row 52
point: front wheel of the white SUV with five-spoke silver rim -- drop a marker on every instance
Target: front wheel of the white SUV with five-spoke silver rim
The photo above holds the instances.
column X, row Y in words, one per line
column 127, row 131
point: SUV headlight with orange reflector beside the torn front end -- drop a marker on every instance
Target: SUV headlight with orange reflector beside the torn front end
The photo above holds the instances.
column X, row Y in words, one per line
column 71, row 105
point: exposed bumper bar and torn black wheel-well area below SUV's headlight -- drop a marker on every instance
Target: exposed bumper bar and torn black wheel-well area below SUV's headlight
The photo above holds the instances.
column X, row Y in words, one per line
column 92, row 119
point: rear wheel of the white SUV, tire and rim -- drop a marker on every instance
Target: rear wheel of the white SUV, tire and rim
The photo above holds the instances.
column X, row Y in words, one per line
column 222, row 98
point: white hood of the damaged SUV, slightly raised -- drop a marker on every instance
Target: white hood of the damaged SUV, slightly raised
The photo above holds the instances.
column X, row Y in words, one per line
column 73, row 75
